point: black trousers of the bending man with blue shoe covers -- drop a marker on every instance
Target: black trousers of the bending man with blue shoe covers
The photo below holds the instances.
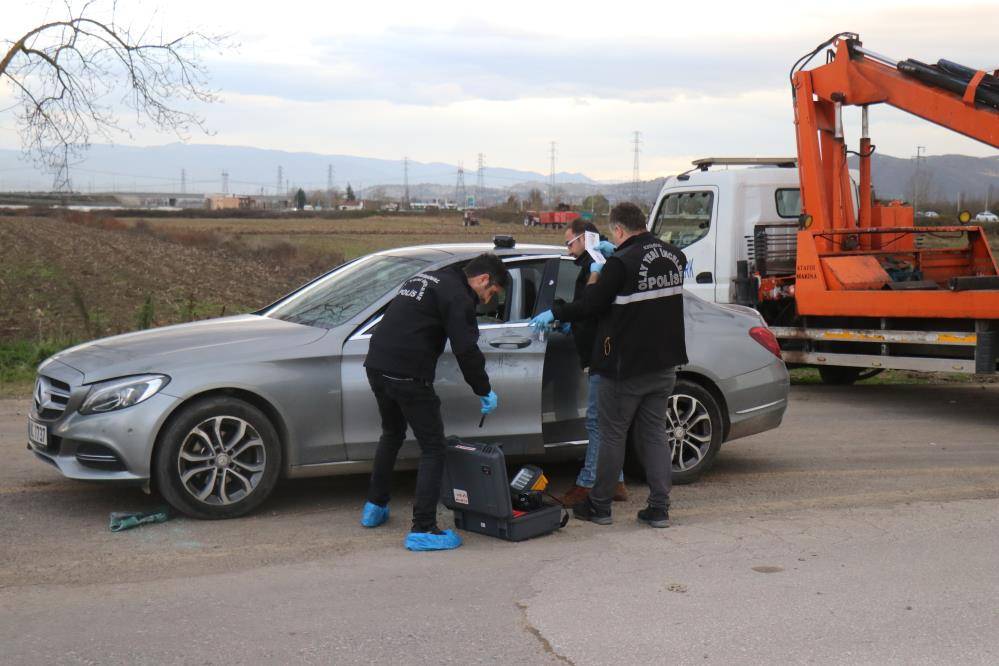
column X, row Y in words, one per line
column 412, row 402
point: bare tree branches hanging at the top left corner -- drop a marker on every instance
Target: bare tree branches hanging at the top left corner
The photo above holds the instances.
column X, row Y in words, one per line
column 72, row 76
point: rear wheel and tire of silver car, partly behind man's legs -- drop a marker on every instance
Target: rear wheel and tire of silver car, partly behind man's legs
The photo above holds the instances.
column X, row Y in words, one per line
column 696, row 410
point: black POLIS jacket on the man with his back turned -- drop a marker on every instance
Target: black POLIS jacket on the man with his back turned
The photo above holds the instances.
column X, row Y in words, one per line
column 638, row 302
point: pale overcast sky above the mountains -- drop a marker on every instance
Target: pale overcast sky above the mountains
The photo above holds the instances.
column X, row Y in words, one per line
column 444, row 81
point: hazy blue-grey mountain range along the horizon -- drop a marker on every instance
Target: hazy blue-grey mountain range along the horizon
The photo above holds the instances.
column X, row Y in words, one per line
column 255, row 170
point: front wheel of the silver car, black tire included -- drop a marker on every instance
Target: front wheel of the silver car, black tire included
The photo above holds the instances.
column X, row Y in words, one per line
column 217, row 458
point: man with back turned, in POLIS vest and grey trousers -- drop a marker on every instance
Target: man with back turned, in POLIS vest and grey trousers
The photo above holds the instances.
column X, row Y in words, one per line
column 637, row 297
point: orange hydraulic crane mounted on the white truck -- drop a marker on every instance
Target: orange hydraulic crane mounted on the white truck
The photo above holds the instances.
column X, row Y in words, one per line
column 846, row 253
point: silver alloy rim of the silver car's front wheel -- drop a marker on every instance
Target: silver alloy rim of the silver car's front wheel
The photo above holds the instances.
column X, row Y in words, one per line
column 222, row 460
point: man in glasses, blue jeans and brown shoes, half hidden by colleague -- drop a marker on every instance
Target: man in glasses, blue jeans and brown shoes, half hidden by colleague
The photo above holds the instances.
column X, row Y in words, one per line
column 583, row 332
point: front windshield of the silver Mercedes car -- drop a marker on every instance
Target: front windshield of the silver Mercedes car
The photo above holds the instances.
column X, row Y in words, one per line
column 345, row 292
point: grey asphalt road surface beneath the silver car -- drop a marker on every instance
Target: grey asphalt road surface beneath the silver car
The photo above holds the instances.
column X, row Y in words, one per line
column 864, row 530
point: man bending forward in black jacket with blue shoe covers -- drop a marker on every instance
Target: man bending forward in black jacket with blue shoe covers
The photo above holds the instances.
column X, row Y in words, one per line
column 430, row 309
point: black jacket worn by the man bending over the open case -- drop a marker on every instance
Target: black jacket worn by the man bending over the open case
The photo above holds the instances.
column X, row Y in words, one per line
column 430, row 309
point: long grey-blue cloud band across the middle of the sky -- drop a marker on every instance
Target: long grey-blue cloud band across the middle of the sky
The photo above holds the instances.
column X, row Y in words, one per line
column 447, row 66
